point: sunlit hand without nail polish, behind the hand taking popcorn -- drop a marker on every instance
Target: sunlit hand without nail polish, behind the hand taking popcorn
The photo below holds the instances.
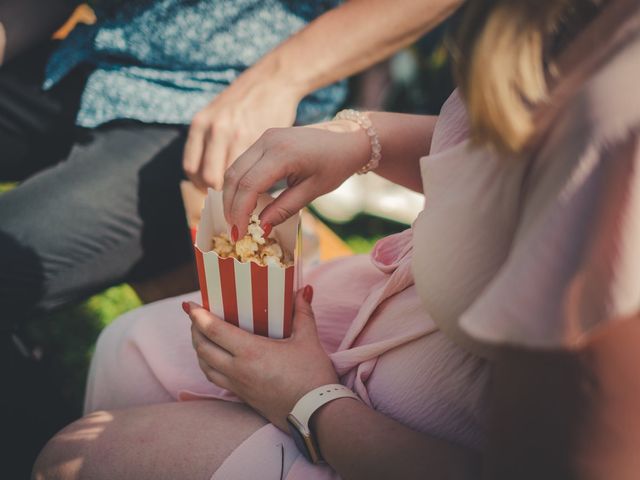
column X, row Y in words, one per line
column 228, row 125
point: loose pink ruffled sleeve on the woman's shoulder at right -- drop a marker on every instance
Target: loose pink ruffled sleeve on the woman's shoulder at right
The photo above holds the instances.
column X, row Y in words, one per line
column 574, row 265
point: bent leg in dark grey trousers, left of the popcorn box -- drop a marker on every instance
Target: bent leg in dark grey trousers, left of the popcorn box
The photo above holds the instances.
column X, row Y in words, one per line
column 111, row 211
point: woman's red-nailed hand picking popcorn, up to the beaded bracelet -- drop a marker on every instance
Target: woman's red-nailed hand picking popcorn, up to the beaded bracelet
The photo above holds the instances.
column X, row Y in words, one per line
column 314, row 160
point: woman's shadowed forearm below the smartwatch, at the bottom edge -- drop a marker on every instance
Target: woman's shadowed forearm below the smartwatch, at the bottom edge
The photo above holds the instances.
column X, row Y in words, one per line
column 360, row 443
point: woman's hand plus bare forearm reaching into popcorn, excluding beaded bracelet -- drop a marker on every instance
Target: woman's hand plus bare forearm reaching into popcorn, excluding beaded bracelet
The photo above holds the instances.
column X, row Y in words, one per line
column 315, row 160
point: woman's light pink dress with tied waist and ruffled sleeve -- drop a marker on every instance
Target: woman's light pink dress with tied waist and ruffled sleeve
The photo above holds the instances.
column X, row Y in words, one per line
column 535, row 252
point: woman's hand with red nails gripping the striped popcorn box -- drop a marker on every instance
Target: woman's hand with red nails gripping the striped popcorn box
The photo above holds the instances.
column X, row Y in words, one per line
column 270, row 375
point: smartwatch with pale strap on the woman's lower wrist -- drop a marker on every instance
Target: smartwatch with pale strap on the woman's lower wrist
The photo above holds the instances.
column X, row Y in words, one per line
column 302, row 412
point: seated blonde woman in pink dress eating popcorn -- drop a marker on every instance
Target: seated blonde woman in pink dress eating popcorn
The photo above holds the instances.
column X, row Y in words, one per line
column 499, row 333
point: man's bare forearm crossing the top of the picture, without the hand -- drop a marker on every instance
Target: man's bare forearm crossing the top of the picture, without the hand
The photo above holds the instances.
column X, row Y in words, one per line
column 346, row 40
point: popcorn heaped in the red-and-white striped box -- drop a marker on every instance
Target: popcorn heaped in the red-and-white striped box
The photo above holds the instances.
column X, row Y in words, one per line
column 253, row 247
